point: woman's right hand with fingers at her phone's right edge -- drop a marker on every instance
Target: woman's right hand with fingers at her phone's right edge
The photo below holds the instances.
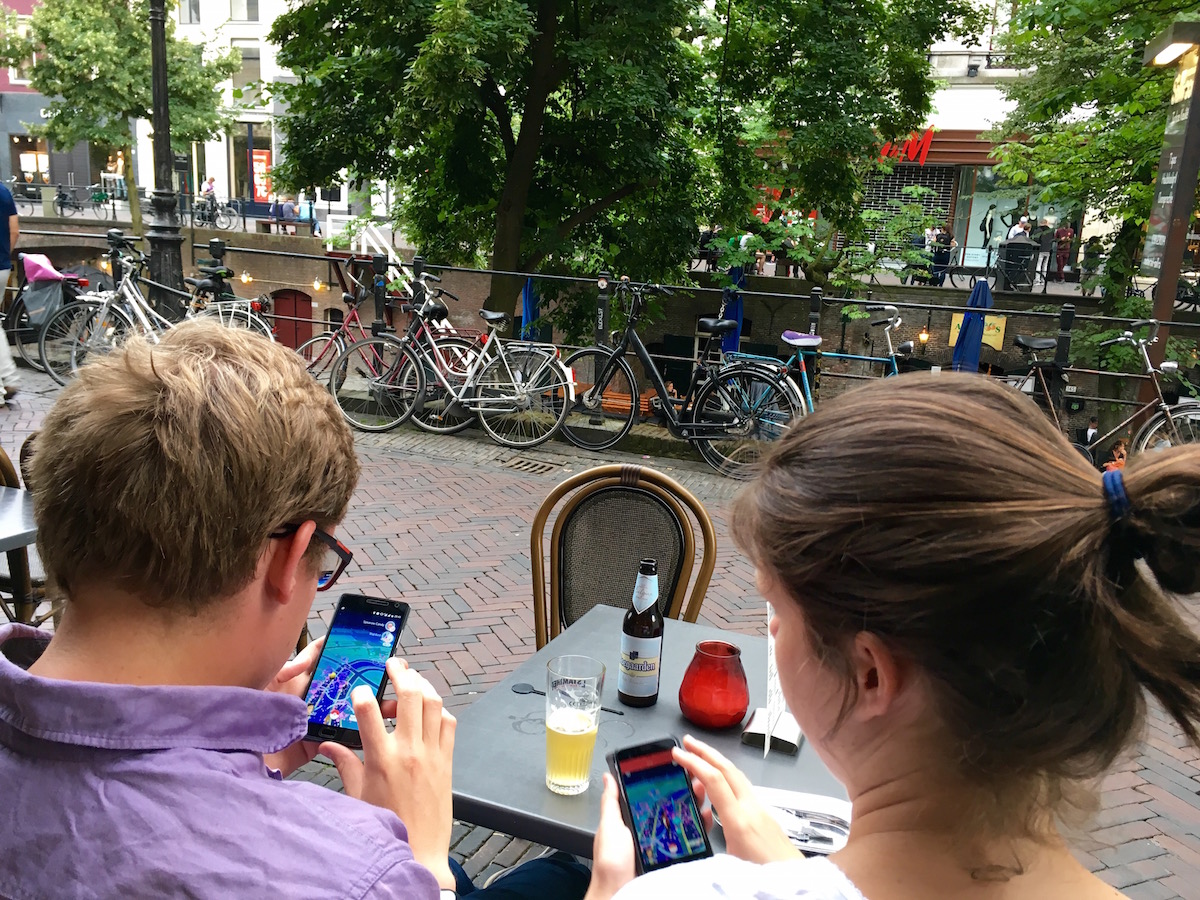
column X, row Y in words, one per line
column 751, row 831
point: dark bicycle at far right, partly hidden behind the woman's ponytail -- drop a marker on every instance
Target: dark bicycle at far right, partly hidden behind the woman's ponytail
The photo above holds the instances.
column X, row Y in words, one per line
column 1172, row 425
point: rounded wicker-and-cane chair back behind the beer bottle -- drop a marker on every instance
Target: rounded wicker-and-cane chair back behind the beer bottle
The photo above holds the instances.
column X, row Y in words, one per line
column 611, row 518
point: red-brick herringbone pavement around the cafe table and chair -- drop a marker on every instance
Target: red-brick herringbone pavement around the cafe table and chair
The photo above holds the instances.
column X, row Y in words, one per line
column 443, row 523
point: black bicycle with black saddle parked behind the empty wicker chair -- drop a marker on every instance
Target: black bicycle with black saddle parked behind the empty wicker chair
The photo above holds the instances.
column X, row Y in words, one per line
column 730, row 412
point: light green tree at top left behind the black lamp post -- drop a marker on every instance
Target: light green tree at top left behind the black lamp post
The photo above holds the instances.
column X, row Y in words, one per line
column 94, row 65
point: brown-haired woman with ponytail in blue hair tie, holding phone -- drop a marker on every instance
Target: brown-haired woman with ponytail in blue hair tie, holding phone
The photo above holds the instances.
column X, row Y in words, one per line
column 968, row 620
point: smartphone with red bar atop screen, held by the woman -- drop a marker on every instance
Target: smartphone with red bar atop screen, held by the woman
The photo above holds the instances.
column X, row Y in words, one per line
column 659, row 806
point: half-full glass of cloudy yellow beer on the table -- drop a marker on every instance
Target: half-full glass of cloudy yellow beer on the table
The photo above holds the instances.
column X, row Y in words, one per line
column 574, row 686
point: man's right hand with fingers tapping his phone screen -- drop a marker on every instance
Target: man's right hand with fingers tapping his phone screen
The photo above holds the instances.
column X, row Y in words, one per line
column 406, row 771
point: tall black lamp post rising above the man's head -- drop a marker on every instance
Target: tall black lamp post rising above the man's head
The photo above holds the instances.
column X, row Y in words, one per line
column 163, row 232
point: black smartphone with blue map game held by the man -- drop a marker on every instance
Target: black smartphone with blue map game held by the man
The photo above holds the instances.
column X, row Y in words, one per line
column 365, row 633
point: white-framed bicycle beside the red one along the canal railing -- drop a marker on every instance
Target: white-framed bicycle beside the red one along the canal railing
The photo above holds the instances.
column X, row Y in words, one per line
column 520, row 391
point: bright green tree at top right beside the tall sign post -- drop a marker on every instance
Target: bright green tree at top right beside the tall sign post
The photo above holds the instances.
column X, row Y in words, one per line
column 1091, row 113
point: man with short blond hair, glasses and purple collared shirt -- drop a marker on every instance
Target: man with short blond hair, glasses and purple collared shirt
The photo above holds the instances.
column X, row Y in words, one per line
column 146, row 747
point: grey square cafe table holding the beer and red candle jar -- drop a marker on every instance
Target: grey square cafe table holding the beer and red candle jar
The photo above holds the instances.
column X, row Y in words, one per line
column 500, row 760
